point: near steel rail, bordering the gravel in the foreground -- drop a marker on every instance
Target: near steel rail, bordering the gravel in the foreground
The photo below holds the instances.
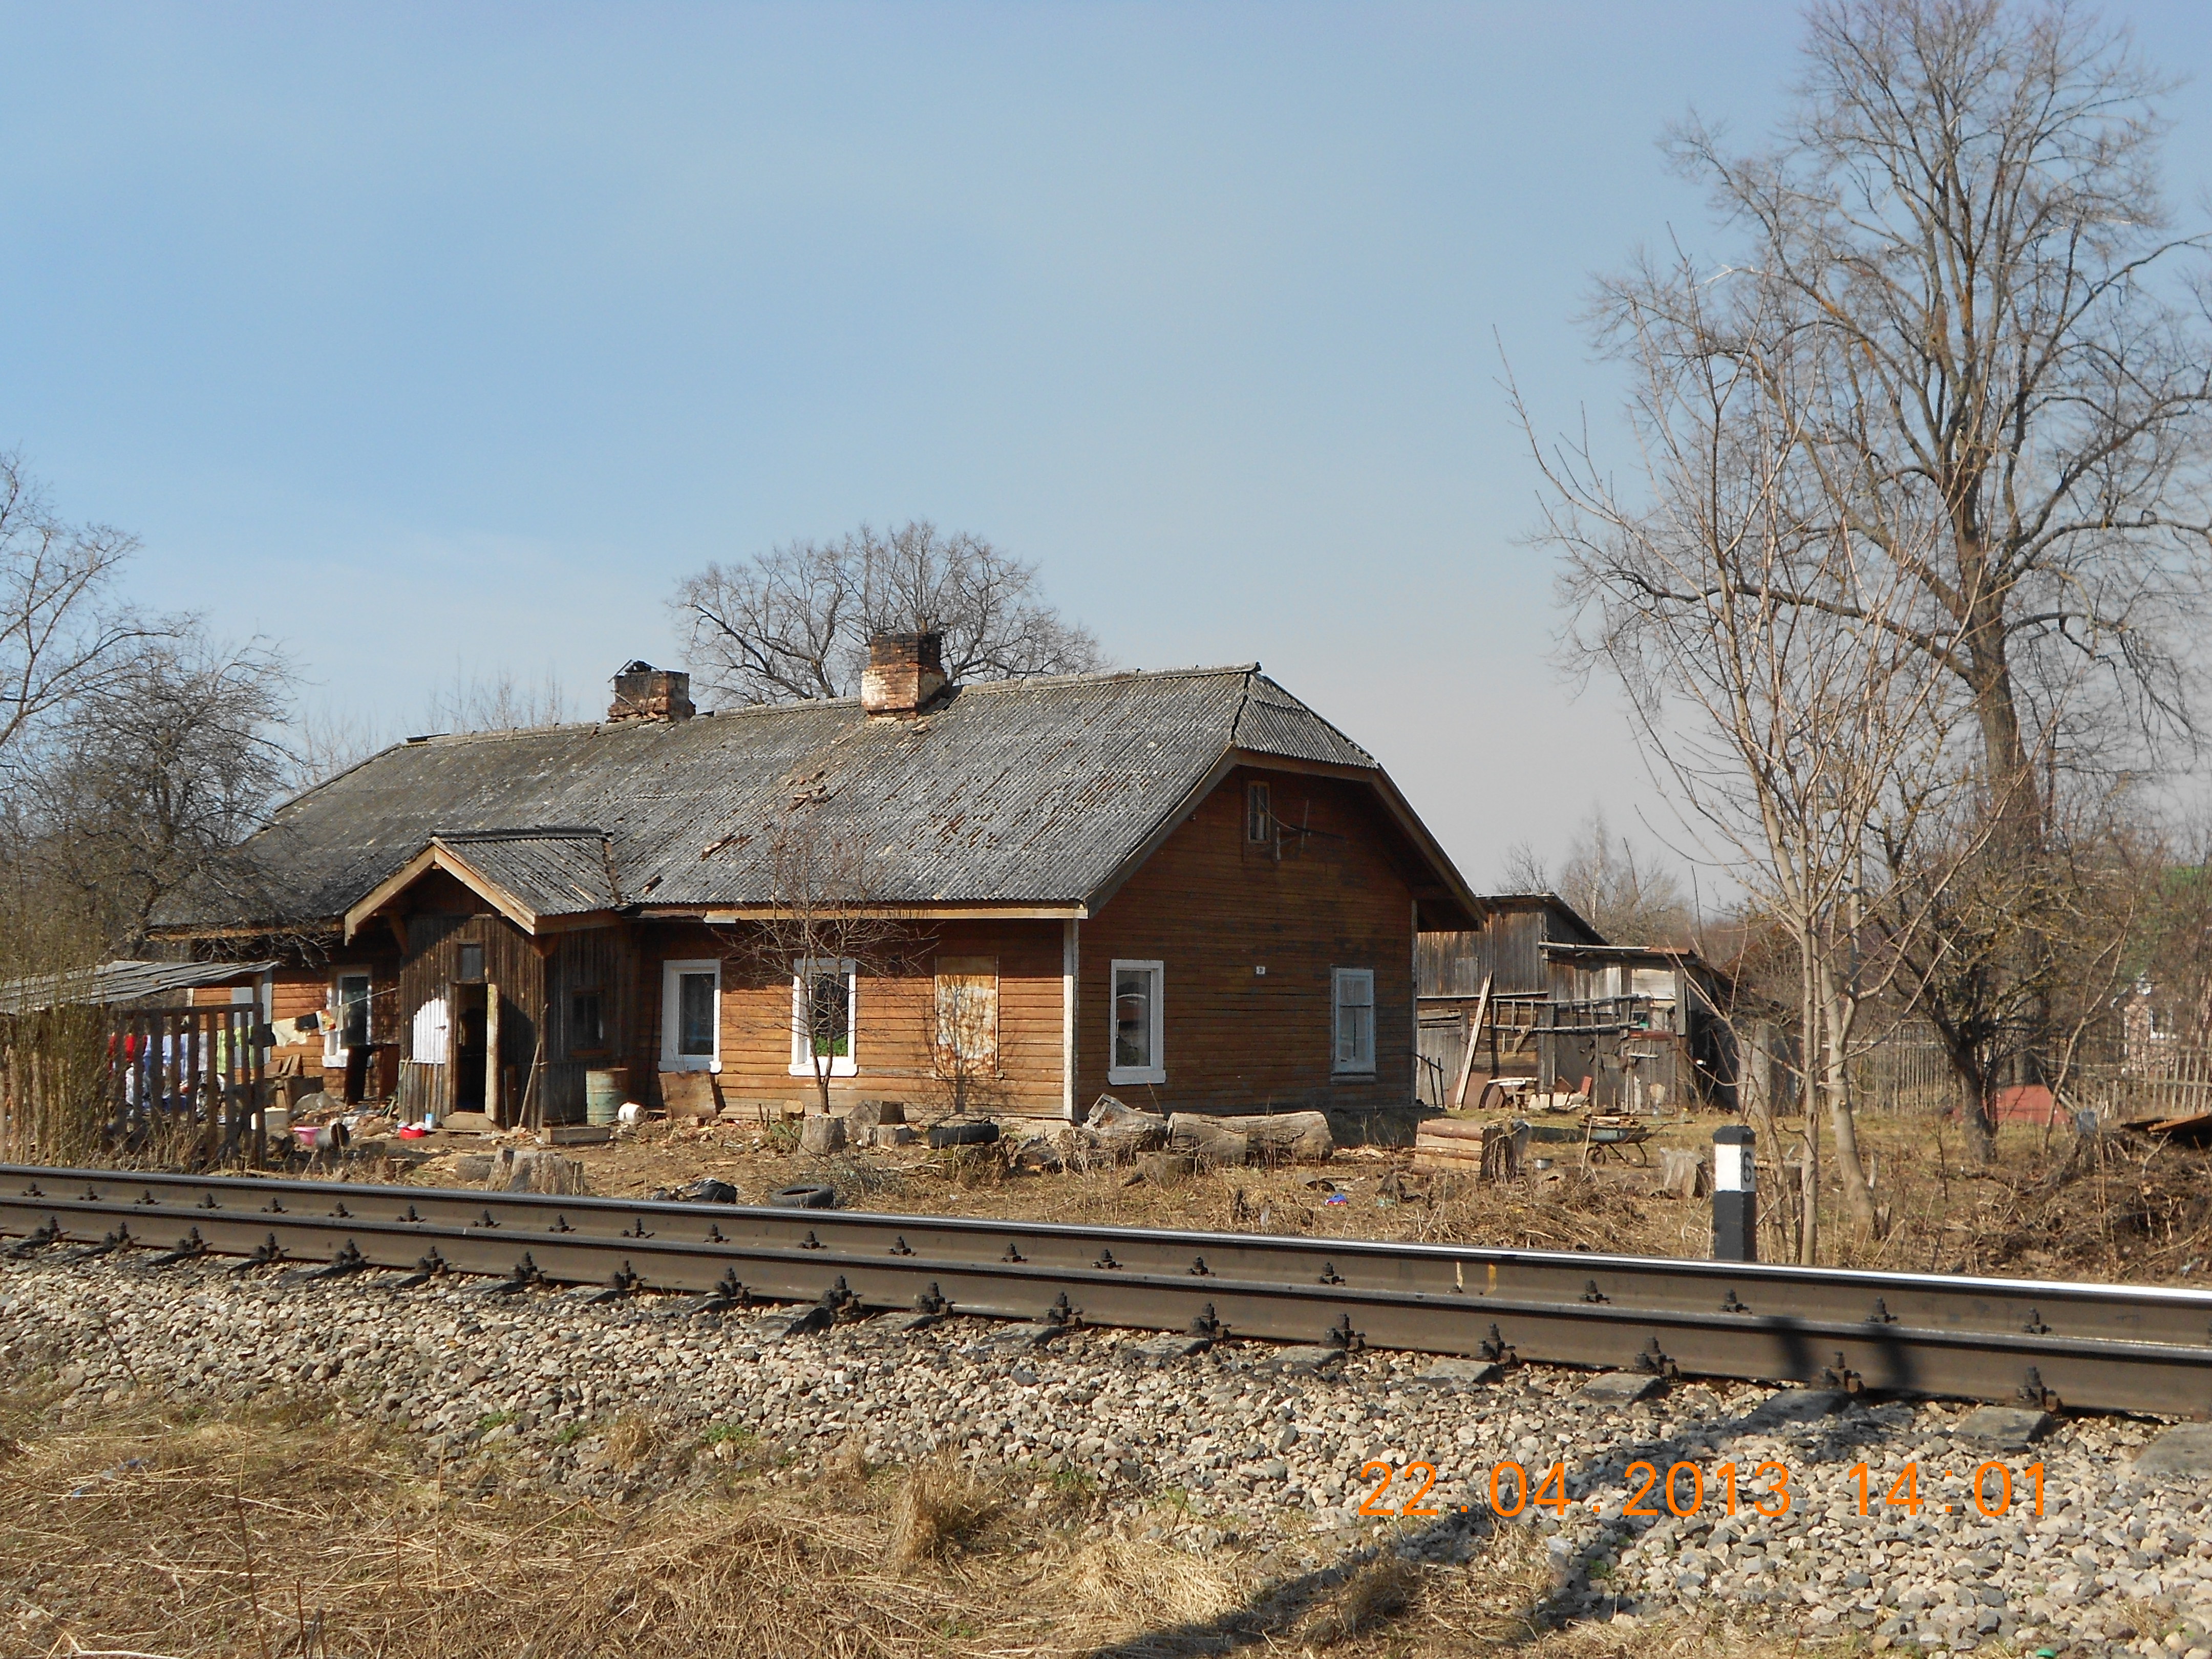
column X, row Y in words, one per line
column 1855, row 1355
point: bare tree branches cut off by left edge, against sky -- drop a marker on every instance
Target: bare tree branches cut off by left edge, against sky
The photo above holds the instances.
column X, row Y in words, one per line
column 63, row 632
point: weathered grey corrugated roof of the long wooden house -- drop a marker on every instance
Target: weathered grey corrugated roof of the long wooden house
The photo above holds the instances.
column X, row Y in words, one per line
column 1019, row 793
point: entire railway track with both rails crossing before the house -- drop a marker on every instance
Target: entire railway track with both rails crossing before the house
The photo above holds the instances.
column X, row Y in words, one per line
column 2105, row 1348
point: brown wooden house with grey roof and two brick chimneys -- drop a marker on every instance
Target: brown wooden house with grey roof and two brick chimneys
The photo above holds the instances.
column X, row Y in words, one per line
column 1180, row 888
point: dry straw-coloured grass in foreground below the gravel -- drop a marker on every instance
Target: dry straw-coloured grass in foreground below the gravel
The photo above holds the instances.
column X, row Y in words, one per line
column 158, row 1530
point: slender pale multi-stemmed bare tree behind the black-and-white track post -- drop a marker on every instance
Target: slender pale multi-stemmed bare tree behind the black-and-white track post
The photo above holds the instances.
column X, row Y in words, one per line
column 1791, row 716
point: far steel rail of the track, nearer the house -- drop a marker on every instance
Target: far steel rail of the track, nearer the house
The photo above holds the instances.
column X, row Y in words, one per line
column 1822, row 1295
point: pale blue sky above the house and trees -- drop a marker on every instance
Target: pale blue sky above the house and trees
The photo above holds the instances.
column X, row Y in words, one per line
column 428, row 337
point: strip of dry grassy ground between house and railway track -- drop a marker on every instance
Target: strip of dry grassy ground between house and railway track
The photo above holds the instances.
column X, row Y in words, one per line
column 2052, row 1207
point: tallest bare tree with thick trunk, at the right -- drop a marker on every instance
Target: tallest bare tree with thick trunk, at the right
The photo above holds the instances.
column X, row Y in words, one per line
column 1963, row 298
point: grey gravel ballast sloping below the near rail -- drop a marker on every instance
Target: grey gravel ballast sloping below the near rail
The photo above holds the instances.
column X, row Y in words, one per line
column 1227, row 1448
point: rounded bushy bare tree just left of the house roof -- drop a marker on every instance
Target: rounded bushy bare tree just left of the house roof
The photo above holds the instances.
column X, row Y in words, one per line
column 147, row 784
